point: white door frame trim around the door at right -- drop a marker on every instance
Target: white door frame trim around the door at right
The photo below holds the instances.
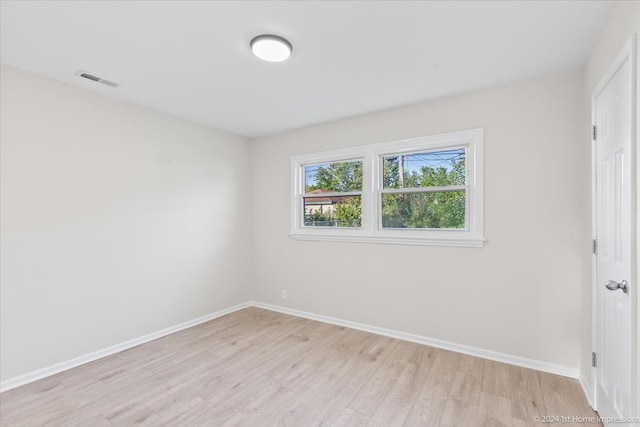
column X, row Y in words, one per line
column 627, row 53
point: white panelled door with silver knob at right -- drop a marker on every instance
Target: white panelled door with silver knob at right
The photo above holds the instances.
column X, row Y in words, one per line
column 614, row 288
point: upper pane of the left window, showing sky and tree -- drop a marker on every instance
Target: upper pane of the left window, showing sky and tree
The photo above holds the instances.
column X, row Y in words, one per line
column 338, row 176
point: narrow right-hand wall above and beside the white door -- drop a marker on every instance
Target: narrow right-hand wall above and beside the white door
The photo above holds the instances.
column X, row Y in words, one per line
column 622, row 22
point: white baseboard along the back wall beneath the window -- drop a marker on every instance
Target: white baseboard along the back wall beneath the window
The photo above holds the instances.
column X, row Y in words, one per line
column 565, row 371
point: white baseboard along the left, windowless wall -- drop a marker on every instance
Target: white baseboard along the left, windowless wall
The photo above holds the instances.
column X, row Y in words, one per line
column 81, row 360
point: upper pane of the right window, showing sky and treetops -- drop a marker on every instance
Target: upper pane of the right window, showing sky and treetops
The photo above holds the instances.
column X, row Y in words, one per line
column 428, row 169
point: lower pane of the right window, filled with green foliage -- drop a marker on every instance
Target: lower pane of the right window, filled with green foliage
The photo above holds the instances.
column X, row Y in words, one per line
column 424, row 210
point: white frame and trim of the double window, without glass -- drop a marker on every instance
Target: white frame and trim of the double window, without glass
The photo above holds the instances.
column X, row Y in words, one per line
column 371, row 230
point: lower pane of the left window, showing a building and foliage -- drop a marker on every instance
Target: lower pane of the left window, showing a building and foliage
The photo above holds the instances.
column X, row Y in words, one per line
column 333, row 211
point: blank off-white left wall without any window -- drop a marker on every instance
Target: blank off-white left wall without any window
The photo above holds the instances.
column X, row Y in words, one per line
column 116, row 222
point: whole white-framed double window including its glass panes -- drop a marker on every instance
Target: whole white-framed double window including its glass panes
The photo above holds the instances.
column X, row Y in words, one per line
column 426, row 190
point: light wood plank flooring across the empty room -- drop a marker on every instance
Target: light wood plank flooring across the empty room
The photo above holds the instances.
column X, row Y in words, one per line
column 260, row 368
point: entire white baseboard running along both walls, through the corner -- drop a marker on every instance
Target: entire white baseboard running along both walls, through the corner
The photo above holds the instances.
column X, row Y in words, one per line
column 460, row 348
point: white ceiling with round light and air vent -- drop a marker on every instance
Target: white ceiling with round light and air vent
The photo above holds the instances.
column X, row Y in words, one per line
column 192, row 58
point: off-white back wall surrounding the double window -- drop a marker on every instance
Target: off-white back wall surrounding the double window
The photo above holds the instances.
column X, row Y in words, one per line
column 519, row 295
